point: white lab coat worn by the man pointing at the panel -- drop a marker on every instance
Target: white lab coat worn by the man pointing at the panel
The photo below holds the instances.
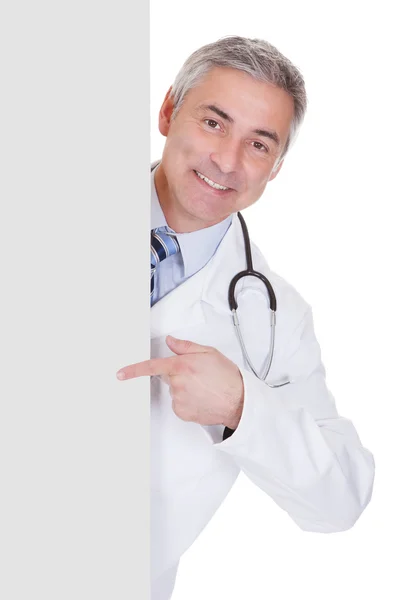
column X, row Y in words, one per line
column 290, row 441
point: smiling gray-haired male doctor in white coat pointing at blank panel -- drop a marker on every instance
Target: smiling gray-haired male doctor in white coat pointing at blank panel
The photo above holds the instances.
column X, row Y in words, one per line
column 229, row 119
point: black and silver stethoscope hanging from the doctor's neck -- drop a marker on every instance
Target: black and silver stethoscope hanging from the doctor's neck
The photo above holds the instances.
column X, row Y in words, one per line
column 233, row 305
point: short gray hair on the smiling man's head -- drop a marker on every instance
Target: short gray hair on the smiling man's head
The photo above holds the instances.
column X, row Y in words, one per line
column 255, row 57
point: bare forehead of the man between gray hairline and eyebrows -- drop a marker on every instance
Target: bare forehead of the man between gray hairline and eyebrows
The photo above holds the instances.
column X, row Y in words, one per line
column 243, row 97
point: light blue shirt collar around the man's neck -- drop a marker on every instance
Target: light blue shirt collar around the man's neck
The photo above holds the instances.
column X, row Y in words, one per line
column 197, row 247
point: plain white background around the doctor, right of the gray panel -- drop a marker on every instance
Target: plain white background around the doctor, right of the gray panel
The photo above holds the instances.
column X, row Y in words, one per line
column 329, row 225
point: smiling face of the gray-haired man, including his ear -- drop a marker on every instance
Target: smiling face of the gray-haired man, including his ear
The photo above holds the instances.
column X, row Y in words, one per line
column 221, row 147
